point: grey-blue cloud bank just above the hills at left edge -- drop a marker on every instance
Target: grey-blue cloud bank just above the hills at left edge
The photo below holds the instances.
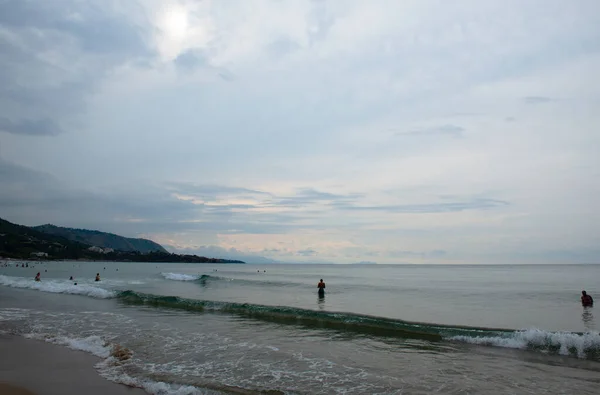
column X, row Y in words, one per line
column 32, row 197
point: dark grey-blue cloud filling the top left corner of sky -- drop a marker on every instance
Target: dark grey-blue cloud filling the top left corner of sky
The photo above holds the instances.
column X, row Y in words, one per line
column 54, row 59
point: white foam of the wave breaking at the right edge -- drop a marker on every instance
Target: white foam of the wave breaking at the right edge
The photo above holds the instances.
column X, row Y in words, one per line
column 564, row 343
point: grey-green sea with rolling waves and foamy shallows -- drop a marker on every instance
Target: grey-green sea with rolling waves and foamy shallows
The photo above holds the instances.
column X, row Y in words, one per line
column 380, row 329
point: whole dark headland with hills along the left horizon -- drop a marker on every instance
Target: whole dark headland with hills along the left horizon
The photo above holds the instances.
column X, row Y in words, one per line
column 56, row 243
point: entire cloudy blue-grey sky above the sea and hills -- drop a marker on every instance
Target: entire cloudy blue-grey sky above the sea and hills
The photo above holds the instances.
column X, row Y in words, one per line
column 308, row 131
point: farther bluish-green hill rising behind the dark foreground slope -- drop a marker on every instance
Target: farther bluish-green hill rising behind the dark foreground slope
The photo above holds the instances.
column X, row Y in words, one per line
column 101, row 239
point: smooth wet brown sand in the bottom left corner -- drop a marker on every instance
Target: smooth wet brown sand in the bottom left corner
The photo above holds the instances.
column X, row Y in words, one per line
column 33, row 367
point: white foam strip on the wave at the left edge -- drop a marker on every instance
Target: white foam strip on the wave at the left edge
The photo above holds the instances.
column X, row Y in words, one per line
column 57, row 286
